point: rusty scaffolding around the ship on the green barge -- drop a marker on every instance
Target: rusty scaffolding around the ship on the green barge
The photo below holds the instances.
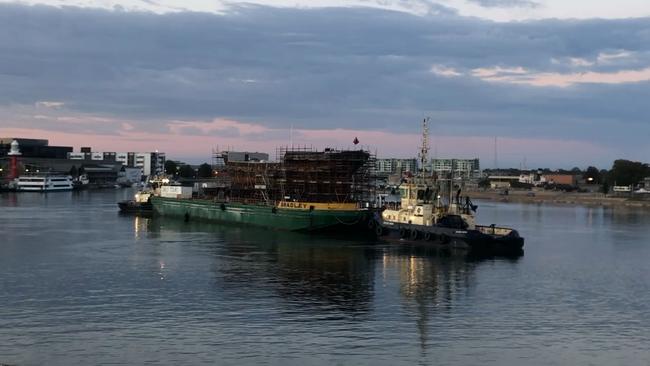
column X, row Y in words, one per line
column 303, row 174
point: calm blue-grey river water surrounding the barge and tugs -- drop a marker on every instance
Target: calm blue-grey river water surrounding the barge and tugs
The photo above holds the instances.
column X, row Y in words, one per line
column 81, row 284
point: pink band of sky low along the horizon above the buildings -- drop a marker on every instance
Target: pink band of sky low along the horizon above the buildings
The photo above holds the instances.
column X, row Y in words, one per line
column 198, row 148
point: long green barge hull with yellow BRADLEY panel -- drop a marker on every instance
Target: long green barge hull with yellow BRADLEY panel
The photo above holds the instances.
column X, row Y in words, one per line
column 292, row 216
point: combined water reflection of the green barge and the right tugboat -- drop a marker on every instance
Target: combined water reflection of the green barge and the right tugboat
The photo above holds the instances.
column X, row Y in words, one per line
column 323, row 276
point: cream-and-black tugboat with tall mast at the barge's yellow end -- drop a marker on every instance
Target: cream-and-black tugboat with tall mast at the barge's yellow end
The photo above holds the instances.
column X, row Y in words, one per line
column 424, row 217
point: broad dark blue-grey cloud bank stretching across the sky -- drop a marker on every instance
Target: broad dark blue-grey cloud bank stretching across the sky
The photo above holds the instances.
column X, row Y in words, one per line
column 327, row 68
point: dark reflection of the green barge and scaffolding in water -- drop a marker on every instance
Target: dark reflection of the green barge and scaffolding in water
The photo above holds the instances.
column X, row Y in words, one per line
column 303, row 271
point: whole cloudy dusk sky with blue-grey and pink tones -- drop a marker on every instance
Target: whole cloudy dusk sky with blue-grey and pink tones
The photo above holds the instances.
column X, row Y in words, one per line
column 557, row 83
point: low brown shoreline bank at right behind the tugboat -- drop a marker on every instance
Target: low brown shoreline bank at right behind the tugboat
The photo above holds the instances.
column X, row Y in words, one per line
column 561, row 198
